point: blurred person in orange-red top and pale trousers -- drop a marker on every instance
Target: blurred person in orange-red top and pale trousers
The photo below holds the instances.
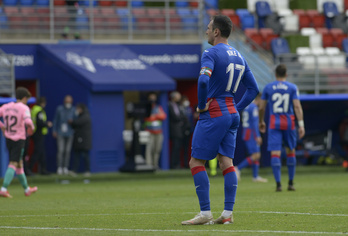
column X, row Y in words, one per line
column 153, row 124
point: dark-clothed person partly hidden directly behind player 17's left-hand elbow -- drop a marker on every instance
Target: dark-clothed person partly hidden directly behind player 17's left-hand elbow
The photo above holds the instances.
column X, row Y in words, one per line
column 188, row 128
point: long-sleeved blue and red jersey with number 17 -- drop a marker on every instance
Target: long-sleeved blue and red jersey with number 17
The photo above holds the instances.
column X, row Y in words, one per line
column 223, row 68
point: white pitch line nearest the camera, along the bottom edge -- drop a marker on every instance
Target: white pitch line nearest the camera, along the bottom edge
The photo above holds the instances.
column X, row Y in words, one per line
column 174, row 230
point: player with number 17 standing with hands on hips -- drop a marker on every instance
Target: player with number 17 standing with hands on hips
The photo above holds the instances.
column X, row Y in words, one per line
column 223, row 69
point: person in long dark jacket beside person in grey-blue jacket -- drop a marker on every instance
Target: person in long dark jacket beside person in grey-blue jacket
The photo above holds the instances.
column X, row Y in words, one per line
column 82, row 137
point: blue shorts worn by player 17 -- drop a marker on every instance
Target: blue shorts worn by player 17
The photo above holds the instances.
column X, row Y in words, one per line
column 215, row 135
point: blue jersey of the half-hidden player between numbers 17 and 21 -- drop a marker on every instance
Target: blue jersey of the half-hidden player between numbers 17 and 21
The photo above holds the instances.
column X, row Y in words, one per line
column 251, row 122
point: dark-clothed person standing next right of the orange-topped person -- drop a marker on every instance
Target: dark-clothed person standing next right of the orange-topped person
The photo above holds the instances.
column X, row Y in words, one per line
column 177, row 120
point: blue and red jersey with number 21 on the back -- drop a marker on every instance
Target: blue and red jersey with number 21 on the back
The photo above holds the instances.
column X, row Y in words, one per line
column 279, row 96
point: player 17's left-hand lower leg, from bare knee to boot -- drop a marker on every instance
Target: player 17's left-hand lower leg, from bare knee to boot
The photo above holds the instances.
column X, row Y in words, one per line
column 202, row 186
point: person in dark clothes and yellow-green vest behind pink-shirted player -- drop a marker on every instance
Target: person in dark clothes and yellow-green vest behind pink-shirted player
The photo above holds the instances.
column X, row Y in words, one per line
column 41, row 124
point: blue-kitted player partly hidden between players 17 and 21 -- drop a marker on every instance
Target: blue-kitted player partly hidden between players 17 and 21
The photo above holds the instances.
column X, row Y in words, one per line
column 252, row 139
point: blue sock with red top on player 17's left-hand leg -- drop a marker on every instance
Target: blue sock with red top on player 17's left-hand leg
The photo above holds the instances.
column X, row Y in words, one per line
column 201, row 181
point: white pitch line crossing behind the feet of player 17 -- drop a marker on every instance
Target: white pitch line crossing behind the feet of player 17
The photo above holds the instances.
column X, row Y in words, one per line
column 167, row 213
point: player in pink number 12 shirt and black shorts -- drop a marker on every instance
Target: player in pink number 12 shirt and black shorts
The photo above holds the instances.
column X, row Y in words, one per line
column 17, row 122
